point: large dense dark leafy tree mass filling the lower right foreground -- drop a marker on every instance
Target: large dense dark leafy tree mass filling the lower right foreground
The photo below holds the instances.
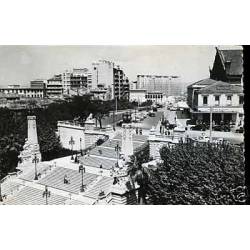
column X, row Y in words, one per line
column 199, row 174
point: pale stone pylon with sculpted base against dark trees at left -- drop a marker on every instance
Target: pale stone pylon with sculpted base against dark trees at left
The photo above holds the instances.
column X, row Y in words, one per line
column 31, row 146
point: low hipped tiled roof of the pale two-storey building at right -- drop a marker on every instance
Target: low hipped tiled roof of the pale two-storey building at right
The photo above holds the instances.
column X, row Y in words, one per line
column 221, row 88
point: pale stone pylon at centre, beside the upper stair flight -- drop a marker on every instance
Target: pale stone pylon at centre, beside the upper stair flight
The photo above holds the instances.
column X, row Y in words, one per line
column 127, row 140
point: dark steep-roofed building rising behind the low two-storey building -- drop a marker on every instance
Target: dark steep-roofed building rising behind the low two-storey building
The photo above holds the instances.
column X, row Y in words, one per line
column 228, row 65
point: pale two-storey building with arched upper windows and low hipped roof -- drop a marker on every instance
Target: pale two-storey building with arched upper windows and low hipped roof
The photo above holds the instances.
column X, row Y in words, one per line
column 224, row 100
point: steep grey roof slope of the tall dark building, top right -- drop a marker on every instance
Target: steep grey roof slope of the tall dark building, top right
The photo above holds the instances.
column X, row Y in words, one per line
column 235, row 60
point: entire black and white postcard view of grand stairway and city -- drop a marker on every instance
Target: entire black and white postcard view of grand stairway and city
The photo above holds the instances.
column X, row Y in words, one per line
column 122, row 125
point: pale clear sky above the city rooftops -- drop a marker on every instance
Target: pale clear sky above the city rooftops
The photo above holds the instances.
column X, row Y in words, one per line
column 20, row 64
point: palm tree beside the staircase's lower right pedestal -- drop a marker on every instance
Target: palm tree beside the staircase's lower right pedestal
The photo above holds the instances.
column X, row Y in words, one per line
column 140, row 175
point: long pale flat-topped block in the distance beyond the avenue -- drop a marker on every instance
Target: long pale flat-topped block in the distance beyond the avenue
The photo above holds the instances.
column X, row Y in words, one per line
column 168, row 85
